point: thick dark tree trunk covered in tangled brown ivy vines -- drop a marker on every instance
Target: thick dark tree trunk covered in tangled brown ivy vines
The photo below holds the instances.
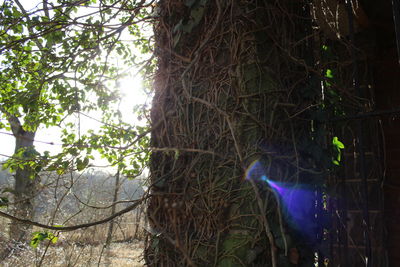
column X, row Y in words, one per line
column 232, row 96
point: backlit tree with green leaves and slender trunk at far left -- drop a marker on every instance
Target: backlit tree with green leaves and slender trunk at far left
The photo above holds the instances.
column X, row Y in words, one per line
column 56, row 61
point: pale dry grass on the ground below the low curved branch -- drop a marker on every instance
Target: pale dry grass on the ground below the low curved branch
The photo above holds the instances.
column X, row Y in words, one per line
column 82, row 247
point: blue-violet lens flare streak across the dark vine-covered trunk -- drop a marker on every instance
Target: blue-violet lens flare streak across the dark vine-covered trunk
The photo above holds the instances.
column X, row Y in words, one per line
column 297, row 202
